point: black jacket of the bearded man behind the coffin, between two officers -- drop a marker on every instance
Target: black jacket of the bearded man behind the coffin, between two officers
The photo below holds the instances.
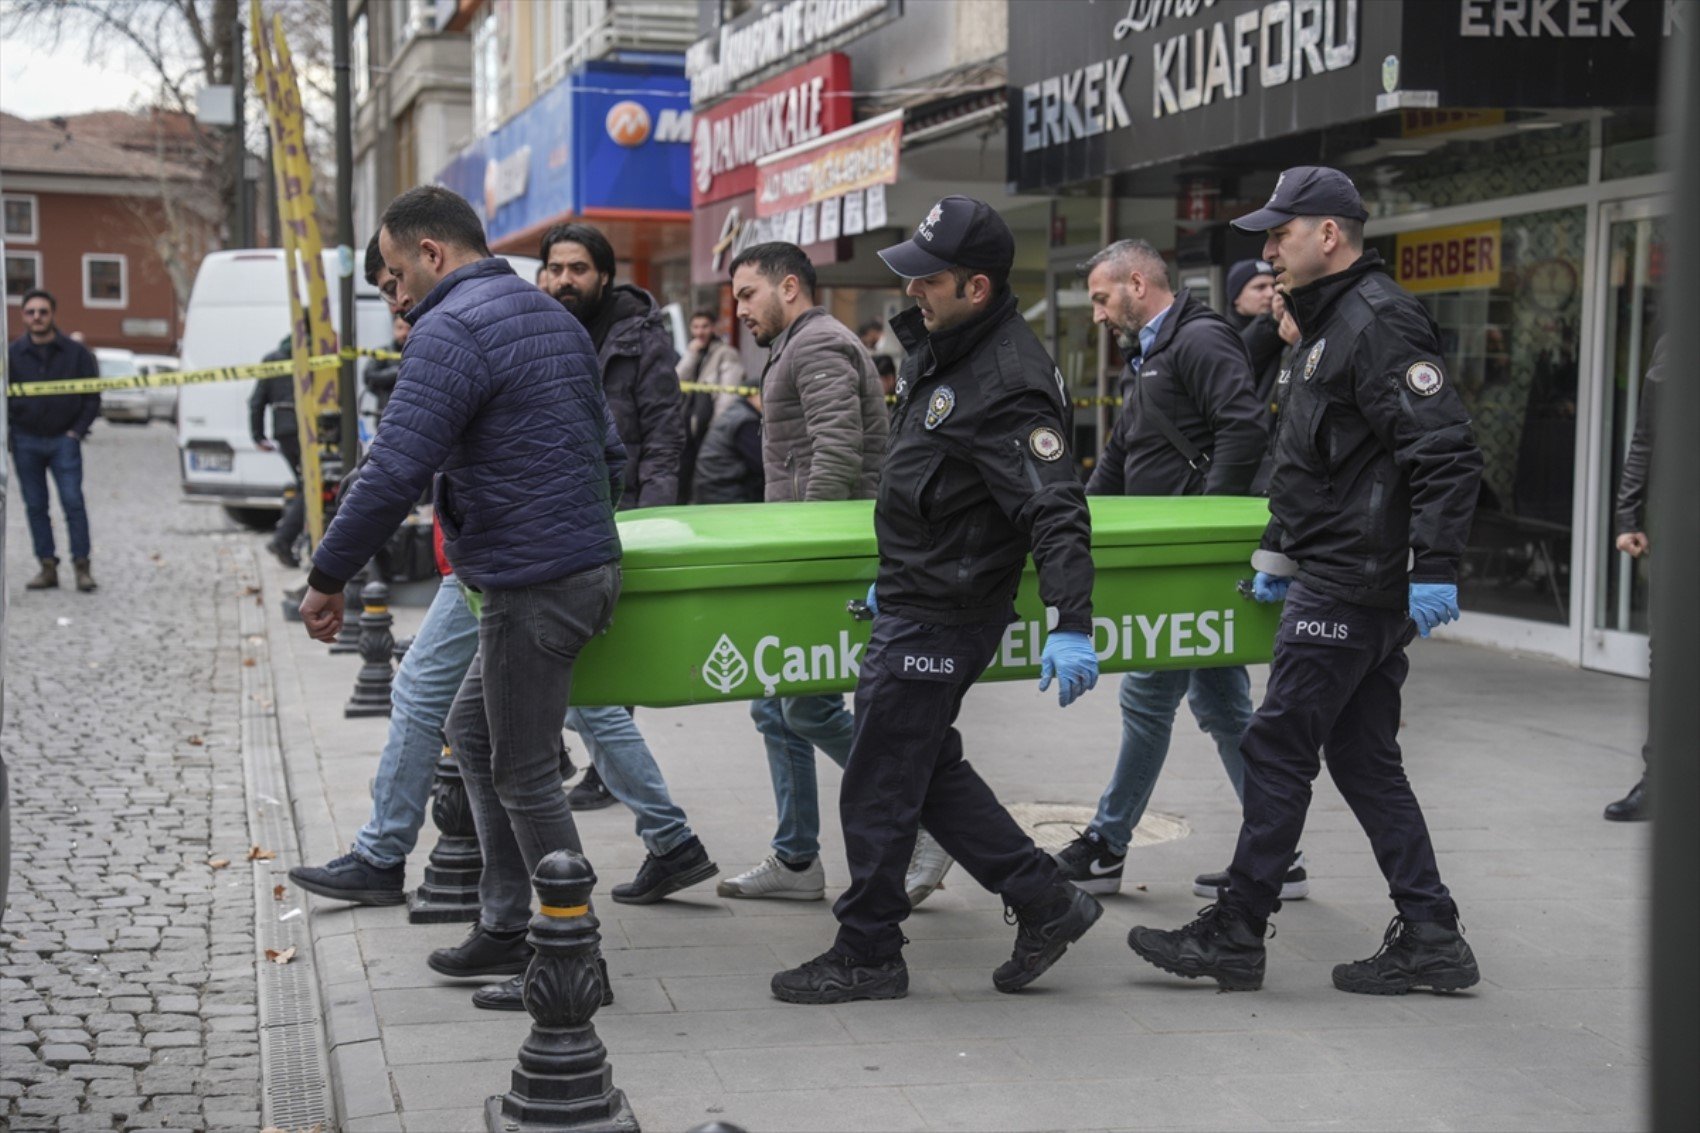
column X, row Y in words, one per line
column 1198, row 377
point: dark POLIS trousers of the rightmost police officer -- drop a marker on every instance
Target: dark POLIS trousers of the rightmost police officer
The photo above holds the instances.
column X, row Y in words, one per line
column 1334, row 685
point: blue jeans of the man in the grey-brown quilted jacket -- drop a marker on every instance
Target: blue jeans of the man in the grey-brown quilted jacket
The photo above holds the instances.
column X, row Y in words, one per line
column 793, row 727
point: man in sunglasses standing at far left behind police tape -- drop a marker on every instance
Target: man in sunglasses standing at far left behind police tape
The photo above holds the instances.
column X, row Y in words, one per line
column 48, row 436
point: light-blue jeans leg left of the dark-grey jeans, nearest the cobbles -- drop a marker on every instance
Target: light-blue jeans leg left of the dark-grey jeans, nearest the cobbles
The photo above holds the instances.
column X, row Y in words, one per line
column 424, row 690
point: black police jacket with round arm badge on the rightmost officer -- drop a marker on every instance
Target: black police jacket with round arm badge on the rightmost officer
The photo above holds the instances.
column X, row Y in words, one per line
column 1376, row 470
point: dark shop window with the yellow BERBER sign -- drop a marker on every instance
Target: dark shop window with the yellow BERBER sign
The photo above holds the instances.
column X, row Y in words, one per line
column 1507, row 295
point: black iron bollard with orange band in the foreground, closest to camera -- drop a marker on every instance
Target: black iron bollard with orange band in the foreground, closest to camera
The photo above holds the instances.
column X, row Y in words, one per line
column 564, row 1079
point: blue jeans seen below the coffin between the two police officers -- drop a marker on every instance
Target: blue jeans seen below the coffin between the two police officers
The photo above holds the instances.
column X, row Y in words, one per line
column 1221, row 702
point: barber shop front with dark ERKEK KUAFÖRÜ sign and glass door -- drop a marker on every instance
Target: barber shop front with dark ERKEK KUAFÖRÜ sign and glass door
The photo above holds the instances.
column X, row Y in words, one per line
column 1507, row 157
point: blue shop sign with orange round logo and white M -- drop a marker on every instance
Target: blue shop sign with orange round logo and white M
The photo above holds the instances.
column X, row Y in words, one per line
column 609, row 139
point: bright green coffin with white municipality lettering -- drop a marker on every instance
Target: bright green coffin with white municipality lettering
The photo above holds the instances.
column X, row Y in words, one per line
column 740, row 601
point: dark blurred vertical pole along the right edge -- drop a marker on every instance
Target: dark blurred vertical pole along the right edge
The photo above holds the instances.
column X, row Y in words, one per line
column 1674, row 532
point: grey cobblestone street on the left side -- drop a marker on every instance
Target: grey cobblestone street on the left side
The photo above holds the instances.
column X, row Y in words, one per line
column 128, row 959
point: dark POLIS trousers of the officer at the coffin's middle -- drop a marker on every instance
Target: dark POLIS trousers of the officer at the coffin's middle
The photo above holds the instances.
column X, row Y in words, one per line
column 907, row 770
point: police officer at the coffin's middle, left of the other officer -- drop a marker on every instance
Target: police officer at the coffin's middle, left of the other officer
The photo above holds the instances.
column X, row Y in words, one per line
column 977, row 475
